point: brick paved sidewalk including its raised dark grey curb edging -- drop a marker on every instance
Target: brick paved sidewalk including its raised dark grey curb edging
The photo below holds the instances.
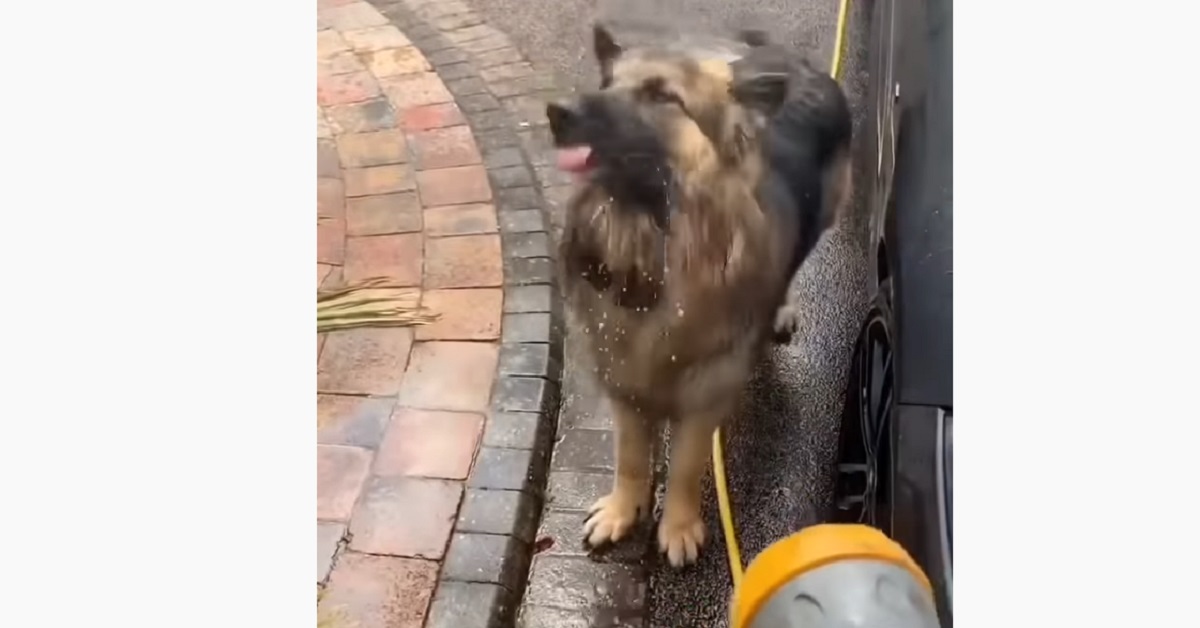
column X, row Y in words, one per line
column 431, row 440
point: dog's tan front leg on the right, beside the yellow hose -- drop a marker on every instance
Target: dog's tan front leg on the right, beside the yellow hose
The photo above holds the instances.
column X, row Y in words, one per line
column 682, row 530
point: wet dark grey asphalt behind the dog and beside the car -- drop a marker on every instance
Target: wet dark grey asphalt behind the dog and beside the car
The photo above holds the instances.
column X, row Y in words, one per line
column 781, row 450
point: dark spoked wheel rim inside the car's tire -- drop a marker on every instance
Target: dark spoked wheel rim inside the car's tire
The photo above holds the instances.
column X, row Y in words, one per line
column 865, row 492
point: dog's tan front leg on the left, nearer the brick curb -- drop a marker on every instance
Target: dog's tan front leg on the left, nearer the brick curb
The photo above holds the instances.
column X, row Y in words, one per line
column 614, row 516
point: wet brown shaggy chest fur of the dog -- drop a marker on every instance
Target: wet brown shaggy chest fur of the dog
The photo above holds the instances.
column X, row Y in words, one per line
column 670, row 318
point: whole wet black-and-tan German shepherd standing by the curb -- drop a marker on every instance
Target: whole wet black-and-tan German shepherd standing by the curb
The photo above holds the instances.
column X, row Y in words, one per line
column 703, row 187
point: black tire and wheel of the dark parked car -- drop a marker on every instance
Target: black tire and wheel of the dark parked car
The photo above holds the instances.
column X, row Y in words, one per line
column 863, row 475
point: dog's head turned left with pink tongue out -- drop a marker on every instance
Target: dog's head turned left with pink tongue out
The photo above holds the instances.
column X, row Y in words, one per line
column 662, row 116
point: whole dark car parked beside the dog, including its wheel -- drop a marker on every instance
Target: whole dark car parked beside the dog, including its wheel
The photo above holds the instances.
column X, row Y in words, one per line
column 897, row 447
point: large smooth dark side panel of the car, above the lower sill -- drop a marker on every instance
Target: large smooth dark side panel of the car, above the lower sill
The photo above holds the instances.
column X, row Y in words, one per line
column 920, row 224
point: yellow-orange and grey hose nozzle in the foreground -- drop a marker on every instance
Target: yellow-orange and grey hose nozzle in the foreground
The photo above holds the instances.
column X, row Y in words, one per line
column 835, row 577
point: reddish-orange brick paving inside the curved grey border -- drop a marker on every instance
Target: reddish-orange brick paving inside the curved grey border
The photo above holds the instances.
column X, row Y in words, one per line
column 401, row 194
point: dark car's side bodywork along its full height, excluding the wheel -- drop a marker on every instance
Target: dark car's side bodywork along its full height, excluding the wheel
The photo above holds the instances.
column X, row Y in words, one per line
column 910, row 128
